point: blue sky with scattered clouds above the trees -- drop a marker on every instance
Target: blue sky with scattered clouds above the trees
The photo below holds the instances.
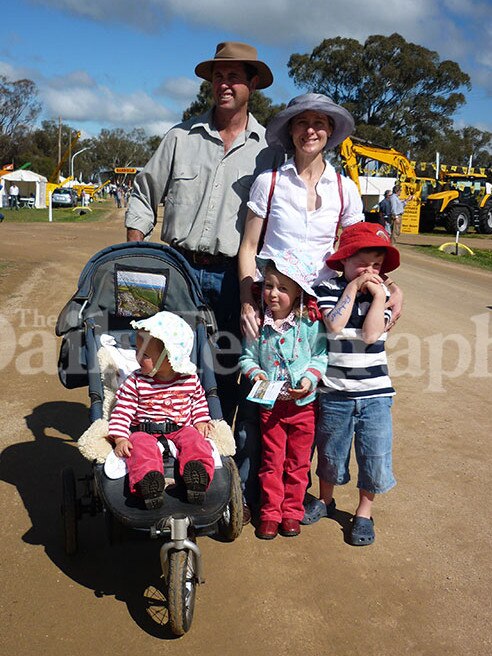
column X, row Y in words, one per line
column 130, row 63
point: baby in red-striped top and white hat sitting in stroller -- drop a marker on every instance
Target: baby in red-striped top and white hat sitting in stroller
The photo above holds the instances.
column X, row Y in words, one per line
column 164, row 398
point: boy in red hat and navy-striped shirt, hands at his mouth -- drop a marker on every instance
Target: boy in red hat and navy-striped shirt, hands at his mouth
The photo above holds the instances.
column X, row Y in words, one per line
column 356, row 396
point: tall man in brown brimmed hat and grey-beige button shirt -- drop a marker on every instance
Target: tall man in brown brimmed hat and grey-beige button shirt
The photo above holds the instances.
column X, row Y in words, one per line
column 203, row 169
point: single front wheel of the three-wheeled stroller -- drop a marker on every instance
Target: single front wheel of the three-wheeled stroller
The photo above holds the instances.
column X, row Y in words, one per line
column 181, row 590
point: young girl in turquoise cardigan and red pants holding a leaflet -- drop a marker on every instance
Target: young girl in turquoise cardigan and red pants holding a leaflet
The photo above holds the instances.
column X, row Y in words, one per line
column 291, row 347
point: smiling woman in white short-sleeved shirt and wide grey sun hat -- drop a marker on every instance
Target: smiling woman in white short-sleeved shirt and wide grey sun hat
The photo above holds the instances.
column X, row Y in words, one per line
column 305, row 201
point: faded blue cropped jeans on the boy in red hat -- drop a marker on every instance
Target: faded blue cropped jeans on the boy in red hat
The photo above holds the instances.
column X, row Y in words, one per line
column 368, row 423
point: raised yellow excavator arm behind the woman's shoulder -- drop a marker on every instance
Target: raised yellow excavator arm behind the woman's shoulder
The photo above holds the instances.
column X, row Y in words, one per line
column 352, row 151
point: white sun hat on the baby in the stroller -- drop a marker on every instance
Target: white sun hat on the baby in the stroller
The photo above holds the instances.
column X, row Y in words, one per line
column 177, row 337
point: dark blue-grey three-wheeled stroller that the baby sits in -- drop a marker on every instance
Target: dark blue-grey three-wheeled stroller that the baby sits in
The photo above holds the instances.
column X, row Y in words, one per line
column 123, row 282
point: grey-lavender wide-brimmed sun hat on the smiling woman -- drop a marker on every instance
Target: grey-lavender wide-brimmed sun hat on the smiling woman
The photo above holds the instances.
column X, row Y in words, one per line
column 278, row 129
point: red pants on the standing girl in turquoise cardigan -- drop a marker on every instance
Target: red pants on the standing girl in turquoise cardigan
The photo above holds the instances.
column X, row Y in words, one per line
column 287, row 439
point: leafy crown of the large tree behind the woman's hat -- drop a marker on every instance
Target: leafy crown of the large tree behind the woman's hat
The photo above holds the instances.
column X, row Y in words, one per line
column 400, row 93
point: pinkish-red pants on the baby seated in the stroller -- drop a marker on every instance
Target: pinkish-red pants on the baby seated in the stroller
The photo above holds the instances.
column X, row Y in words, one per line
column 146, row 456
